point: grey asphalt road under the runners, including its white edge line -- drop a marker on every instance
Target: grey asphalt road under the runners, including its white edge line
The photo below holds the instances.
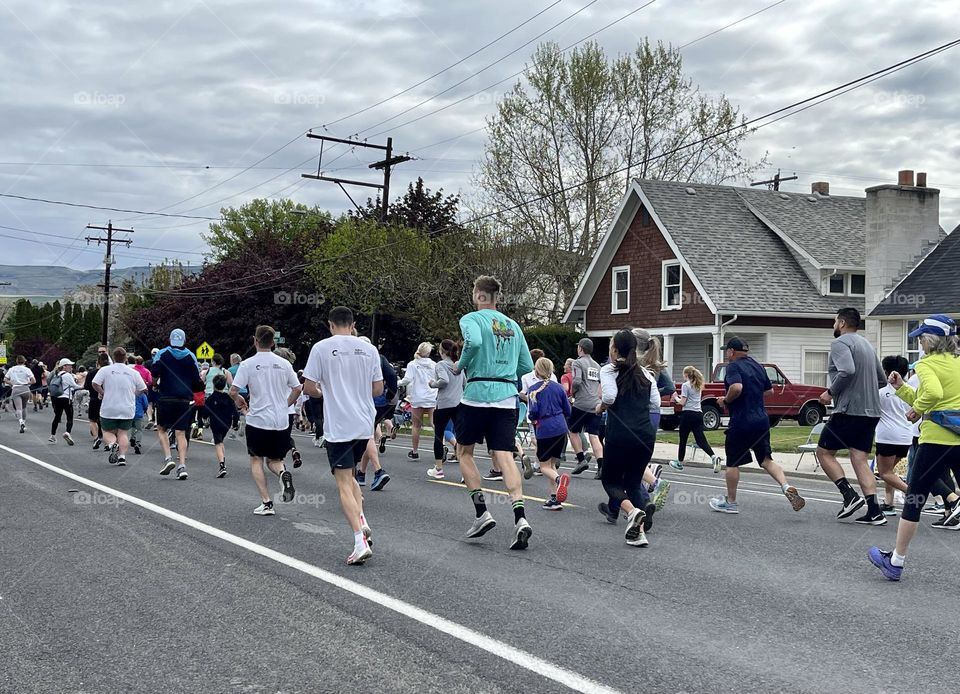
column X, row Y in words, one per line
column 100, row 594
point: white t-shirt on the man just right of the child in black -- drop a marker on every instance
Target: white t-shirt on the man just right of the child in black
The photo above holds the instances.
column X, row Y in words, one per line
column 269, row 379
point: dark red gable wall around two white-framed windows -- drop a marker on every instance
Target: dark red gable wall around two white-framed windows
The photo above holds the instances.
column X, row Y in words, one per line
column 644, row 249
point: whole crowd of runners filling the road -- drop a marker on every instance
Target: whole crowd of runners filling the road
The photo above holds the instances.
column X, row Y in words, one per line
column 488, row 388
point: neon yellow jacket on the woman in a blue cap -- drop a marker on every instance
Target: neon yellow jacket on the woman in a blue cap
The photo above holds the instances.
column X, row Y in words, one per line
column 939, row 390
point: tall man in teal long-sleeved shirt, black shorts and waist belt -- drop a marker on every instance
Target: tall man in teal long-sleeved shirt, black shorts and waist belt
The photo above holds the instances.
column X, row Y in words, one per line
column 494, row 357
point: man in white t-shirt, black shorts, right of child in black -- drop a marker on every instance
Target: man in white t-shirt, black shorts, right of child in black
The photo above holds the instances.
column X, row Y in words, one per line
column 273, row 386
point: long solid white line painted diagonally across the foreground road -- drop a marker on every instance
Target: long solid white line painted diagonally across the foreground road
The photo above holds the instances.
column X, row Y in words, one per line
column 528, row 661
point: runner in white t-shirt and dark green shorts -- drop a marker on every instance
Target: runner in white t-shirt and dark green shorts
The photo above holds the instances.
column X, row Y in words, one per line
column 118, row 384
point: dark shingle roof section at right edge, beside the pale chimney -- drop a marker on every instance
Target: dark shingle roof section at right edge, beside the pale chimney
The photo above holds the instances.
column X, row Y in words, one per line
column 931, row 287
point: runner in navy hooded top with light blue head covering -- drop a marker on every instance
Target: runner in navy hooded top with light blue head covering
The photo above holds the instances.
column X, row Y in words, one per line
column 177, row 375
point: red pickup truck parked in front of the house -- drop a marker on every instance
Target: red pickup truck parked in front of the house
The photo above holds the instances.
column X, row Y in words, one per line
column 786, row 401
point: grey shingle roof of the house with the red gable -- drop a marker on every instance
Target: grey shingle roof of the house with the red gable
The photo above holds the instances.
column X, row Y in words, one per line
column 741, row 263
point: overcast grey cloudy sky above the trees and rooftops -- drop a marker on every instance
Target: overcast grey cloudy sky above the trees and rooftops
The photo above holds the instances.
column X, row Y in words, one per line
column 163, row 105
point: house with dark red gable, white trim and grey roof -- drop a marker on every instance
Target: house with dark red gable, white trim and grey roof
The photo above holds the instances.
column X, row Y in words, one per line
column 695, row 263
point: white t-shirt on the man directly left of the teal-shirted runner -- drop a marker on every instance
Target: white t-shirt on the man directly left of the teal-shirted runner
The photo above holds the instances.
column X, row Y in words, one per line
column 346, row 368
